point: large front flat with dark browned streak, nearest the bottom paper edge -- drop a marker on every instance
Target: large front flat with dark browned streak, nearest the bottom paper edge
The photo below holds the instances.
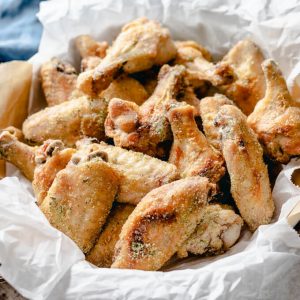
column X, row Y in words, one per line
column 161, row 222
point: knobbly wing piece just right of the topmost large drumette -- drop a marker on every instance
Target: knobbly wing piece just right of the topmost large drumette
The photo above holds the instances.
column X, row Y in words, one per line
column 197, row 61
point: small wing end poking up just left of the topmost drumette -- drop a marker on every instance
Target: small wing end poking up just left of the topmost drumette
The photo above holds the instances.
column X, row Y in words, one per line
column 87, row 46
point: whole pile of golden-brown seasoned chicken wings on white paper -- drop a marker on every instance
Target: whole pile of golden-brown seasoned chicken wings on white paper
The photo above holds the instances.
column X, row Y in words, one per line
column 153, row 150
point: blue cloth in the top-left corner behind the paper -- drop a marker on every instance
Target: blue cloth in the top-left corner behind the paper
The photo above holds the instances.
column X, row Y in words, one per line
column 20, row 30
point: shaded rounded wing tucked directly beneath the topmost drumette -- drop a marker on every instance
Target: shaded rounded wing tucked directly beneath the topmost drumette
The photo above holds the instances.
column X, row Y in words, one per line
column 126, row 88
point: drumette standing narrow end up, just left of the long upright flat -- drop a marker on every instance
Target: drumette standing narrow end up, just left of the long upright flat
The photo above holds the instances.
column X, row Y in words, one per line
column 191, row 153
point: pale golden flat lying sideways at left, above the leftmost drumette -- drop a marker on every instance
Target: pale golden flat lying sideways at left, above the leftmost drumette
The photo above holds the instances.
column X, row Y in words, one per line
column 68, row 121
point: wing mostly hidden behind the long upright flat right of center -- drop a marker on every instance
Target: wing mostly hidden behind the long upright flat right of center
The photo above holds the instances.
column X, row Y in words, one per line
column 209, row 107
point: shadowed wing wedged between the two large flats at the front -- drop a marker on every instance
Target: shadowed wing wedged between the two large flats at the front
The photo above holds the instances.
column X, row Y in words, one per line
column 102, row 253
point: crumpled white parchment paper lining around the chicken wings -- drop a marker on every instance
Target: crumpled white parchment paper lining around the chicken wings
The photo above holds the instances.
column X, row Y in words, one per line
column 42, row 263
